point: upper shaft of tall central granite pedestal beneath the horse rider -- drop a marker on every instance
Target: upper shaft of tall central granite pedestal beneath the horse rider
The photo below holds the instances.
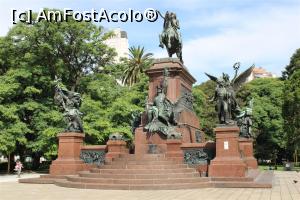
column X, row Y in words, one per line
column 180, row 83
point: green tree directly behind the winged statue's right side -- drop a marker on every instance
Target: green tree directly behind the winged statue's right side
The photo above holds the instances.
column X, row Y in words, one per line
column 267, row 115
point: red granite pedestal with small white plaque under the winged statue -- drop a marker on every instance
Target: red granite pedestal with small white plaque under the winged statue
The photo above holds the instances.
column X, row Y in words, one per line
column 228, row 161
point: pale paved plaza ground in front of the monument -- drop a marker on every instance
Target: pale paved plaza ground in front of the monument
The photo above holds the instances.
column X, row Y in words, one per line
column 283, row 188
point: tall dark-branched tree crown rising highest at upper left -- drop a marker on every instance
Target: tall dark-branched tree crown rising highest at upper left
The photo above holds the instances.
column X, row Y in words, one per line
column 68, row 49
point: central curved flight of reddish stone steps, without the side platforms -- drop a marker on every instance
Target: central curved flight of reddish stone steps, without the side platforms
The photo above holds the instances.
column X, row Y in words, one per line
column 129, row 172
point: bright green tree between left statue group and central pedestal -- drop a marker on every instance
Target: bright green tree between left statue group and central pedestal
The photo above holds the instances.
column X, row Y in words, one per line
column 107, row 106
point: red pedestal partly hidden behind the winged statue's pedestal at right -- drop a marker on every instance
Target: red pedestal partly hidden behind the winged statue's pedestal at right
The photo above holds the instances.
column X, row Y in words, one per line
column 246, row 148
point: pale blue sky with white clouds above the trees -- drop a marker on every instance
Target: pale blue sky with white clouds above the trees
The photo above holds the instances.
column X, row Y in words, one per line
column 216, row 33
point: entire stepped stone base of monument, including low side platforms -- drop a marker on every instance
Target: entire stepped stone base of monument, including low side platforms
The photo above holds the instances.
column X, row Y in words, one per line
column 151, row 172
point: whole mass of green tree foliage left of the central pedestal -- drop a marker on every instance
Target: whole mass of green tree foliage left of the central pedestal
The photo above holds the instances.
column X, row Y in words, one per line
column 30, row 58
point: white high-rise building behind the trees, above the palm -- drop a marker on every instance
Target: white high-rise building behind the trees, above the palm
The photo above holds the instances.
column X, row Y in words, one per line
column 120, row 43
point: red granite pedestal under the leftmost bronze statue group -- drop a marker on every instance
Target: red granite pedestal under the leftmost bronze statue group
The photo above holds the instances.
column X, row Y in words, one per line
column 68, row 161
